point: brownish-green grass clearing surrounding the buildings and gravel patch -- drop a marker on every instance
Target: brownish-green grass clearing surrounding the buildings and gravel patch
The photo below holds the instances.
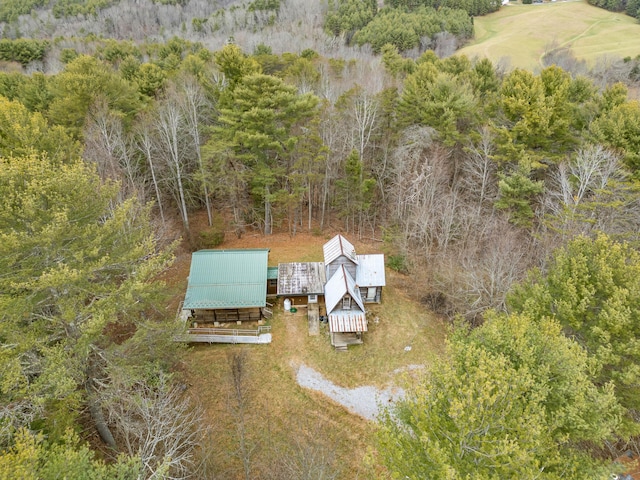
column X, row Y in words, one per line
column 286, row 425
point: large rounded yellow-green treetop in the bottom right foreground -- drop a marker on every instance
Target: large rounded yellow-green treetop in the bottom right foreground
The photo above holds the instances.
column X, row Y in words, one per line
column 513, row 399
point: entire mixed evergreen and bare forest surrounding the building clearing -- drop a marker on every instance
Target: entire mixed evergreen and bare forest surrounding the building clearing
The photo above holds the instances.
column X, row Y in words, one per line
column 512, row 198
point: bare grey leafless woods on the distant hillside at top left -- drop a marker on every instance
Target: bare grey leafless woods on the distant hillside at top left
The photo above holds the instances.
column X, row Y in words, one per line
column 212, row 23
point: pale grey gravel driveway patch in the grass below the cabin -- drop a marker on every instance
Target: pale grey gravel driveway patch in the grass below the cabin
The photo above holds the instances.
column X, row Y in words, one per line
column 365, row 401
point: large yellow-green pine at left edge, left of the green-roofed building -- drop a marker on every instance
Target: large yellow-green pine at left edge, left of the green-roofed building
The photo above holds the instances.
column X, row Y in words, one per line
column 76, row 263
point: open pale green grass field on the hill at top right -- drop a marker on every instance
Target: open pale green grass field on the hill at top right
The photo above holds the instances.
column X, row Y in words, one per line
column 522, row 32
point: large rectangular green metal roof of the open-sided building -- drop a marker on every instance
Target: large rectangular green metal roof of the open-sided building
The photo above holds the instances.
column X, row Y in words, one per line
column 227, row 279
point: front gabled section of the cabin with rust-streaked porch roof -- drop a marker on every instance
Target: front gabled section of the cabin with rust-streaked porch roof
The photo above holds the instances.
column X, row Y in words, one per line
column 345, row 309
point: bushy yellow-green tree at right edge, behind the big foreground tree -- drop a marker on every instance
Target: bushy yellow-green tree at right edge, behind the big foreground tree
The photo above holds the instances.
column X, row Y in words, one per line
column 591, row 287
